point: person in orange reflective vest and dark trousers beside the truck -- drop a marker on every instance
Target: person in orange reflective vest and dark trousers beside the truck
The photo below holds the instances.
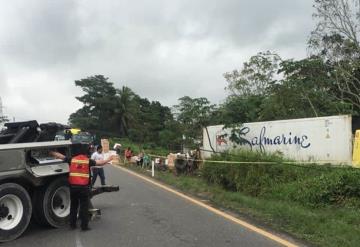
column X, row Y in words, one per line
column 79, row 181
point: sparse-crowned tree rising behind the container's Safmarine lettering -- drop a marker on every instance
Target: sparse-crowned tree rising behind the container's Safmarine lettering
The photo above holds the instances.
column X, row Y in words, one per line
column 248, row 87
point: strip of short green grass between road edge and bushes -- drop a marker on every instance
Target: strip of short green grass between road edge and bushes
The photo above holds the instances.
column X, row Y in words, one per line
column 324, row 226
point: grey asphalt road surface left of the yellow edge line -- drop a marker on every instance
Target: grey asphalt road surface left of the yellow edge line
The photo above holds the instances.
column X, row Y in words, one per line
column 141, row 214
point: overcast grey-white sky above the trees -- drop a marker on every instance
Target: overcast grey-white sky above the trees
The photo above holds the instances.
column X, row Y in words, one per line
column 161, row 49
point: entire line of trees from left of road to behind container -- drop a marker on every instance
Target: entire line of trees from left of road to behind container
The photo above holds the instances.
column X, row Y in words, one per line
column 266, row 87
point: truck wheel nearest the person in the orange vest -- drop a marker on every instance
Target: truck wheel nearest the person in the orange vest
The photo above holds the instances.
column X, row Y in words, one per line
column 52, row 203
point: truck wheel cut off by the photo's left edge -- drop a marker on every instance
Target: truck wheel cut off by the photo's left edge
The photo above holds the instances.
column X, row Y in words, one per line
column 15, row 211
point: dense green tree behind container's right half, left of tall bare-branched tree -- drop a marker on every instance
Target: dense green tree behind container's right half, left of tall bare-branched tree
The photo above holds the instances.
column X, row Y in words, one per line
column 304, row 91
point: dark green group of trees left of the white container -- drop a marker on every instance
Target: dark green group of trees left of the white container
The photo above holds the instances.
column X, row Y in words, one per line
column 113, row 112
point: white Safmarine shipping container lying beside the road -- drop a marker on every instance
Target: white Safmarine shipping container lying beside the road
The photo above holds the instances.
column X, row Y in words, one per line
column 323, row 139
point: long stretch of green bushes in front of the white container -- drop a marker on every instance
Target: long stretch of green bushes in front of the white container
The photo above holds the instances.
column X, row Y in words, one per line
column 311, row 185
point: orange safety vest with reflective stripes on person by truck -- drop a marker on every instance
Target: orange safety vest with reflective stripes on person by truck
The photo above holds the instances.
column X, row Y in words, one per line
column 79, row 173
